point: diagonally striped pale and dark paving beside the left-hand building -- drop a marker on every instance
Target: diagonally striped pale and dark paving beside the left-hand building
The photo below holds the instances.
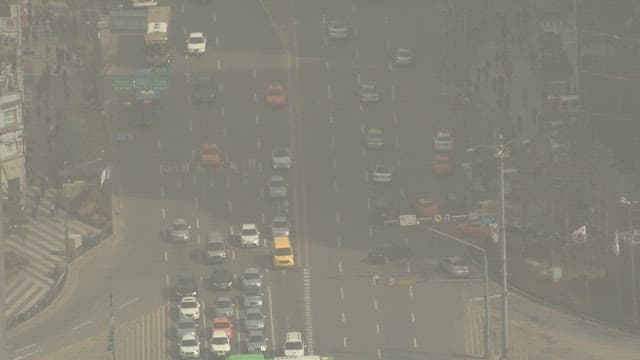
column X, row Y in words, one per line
column 41, row 243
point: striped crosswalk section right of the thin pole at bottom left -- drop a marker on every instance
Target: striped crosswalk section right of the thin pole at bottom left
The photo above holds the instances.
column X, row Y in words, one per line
column 144, row 338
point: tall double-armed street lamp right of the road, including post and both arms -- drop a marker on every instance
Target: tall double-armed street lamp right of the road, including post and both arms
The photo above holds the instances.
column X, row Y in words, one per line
column 502, row 152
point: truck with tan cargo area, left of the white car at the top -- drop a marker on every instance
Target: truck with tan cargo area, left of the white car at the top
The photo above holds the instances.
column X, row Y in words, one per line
column 157, row 37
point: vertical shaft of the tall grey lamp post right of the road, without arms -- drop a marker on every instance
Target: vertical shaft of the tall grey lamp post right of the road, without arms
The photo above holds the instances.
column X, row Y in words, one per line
column 505, row 291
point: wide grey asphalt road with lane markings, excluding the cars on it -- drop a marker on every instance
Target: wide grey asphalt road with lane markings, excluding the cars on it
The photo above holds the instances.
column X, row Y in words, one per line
column 157, row 178
